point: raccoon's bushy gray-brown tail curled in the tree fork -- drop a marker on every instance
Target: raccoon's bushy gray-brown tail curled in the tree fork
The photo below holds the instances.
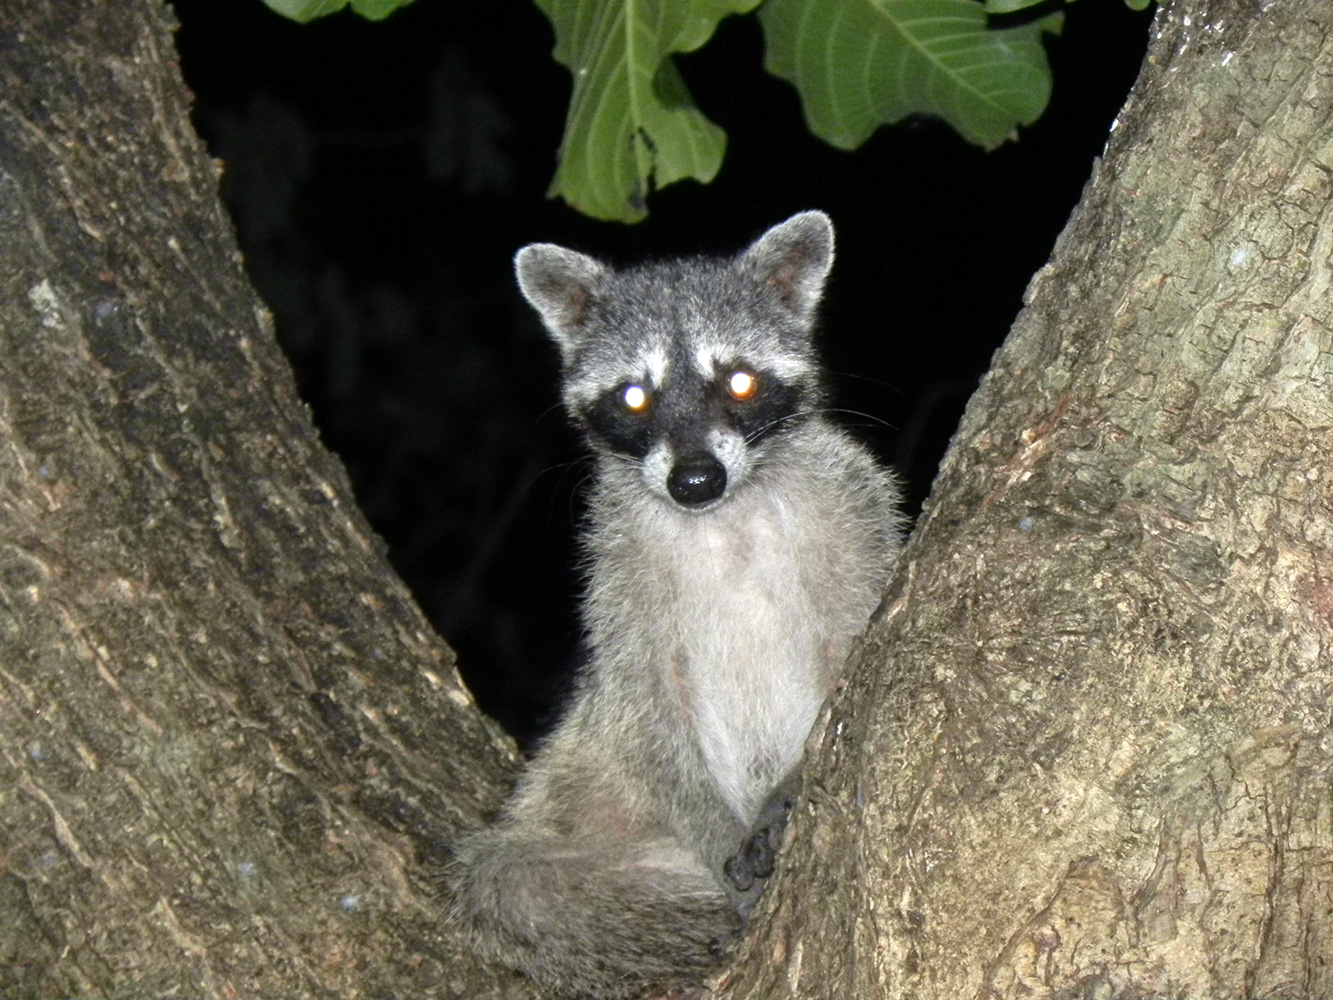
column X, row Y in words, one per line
column 602, row 919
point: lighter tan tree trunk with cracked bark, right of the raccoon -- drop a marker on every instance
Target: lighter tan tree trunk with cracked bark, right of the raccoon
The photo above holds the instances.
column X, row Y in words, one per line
column 1087, row 750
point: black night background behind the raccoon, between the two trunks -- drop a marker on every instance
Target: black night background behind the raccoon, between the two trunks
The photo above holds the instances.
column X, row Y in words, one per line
column 382, row 175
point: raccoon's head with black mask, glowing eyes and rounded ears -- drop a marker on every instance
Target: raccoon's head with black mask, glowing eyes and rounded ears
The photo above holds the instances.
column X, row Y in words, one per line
column 688, row 367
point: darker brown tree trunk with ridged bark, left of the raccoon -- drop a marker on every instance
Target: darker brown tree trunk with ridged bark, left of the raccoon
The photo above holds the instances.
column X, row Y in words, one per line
column 230, row 738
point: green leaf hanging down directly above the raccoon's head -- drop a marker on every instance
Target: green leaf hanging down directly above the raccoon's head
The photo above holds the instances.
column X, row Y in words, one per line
column 633, row 126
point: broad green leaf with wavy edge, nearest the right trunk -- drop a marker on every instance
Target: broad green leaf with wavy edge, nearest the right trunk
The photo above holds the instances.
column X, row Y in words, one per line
column 860, row 65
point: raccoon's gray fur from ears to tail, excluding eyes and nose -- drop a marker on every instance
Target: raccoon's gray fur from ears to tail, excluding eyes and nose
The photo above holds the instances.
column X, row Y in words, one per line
column 716, row 629
